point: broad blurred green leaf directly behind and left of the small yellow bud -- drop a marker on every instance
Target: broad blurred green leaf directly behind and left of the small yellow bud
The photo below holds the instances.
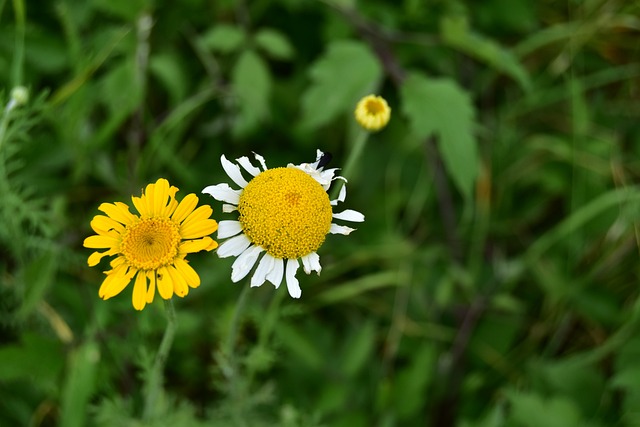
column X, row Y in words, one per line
column 345, row 73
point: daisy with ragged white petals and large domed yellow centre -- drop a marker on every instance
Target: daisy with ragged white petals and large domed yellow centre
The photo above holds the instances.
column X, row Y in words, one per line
column 284, row 216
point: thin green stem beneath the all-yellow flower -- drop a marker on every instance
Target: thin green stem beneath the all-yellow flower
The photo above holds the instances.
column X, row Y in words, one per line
column 154, row 385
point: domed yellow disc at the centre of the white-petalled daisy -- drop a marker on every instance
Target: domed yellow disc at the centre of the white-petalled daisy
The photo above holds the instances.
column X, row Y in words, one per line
column 286, row 212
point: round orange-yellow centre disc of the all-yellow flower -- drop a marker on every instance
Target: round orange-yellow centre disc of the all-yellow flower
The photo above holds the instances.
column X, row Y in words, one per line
column 151, row 243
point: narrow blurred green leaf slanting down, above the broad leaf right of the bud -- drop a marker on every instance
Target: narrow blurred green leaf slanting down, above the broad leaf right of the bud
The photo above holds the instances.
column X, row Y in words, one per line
column 456, row 33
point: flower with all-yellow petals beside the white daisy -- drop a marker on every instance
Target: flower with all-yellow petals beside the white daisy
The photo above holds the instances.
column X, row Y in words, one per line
column 151, row 247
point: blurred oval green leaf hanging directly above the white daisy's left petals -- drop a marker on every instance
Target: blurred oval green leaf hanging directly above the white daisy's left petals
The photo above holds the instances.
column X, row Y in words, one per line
column 251, row 83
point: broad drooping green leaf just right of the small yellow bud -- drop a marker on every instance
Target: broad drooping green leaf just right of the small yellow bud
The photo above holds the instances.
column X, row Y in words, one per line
column 441, row 107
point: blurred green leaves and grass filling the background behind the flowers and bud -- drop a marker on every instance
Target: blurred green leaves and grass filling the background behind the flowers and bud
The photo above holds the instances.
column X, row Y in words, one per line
column 494, row 282
